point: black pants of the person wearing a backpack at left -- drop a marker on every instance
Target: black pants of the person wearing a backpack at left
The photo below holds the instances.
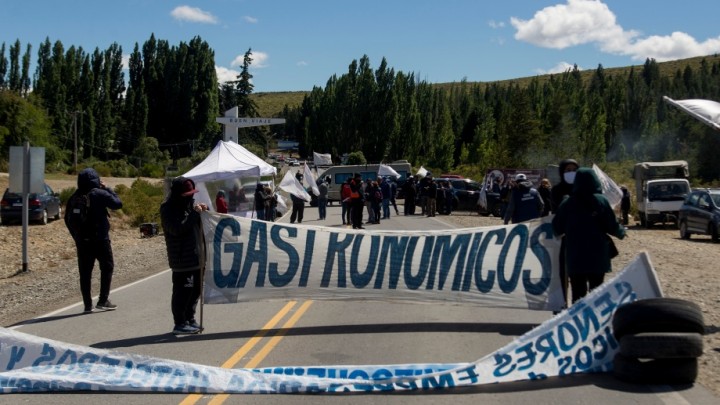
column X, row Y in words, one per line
column 88, row 251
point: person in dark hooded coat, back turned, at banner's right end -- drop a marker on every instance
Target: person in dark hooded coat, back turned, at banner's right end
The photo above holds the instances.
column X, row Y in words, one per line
column 584, row 220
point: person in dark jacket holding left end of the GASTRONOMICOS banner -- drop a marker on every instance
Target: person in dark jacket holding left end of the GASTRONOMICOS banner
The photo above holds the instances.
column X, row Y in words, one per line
column 182, row 227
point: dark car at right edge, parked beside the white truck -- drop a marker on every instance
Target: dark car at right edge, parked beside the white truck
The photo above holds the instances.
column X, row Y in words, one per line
column 700, row 214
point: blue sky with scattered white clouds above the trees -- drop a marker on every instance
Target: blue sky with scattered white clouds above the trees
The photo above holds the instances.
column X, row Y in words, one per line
column 300, row 44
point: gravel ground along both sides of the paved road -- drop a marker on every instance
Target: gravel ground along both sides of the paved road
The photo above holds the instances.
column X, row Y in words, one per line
column 686, row 269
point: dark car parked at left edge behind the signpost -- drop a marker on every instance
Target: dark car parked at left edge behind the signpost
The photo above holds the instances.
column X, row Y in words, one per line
column 41, row 206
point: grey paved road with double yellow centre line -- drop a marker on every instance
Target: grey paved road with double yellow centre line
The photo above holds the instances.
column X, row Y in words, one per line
column 323, row 333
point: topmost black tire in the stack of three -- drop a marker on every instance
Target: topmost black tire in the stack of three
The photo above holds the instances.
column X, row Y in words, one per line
column 658, row 315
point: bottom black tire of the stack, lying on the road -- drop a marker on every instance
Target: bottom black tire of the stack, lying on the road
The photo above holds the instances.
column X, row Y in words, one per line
column 661, row 371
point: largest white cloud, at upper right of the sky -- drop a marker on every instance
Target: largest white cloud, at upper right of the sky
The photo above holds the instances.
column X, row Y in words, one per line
column 579, row 22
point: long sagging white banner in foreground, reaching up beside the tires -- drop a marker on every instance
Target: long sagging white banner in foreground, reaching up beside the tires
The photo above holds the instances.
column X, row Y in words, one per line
column 578, row 340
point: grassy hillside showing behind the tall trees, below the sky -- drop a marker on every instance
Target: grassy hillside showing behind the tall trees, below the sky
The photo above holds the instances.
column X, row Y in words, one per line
column 271, row 104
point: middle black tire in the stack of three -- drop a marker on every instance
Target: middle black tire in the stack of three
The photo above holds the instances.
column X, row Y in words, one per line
column 662, row 345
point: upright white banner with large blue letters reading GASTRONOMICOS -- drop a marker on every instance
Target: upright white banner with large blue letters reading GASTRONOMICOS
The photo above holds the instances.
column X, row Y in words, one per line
column 504, row 266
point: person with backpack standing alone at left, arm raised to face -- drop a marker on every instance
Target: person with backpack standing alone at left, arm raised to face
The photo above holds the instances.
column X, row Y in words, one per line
column 86, row 217
